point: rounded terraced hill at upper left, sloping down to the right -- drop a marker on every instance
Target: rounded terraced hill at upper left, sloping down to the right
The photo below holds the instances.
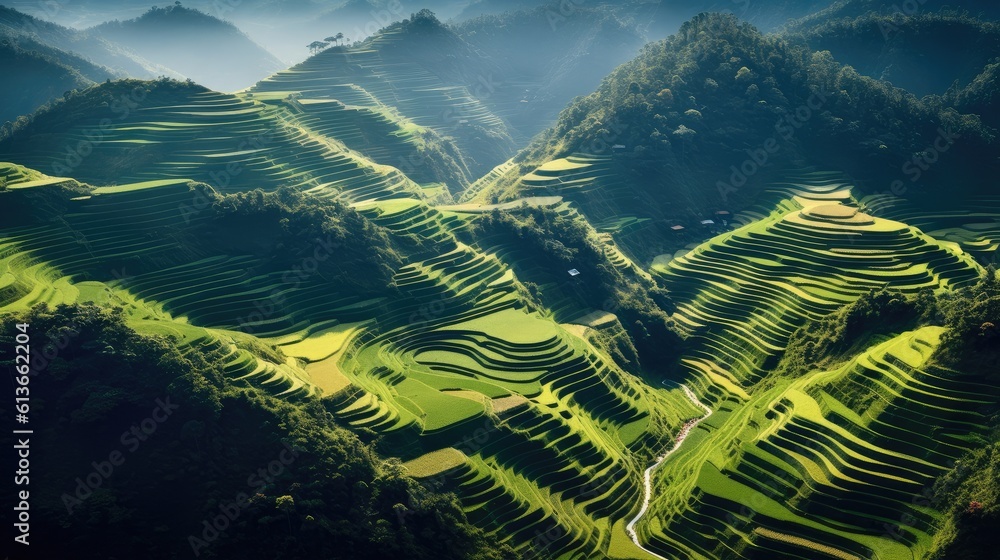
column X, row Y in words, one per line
column 176, row 130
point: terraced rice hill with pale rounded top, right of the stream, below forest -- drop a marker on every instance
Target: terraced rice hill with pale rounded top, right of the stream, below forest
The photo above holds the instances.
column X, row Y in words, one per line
column 742, row 294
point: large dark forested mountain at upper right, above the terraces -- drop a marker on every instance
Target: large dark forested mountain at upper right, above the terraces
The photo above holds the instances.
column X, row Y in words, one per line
column 696, row 124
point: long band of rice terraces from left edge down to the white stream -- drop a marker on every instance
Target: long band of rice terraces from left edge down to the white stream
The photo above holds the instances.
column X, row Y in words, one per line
column 567, row 433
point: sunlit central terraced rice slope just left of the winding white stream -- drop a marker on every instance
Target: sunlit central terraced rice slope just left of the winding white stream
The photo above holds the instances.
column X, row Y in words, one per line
column 554, row 434
